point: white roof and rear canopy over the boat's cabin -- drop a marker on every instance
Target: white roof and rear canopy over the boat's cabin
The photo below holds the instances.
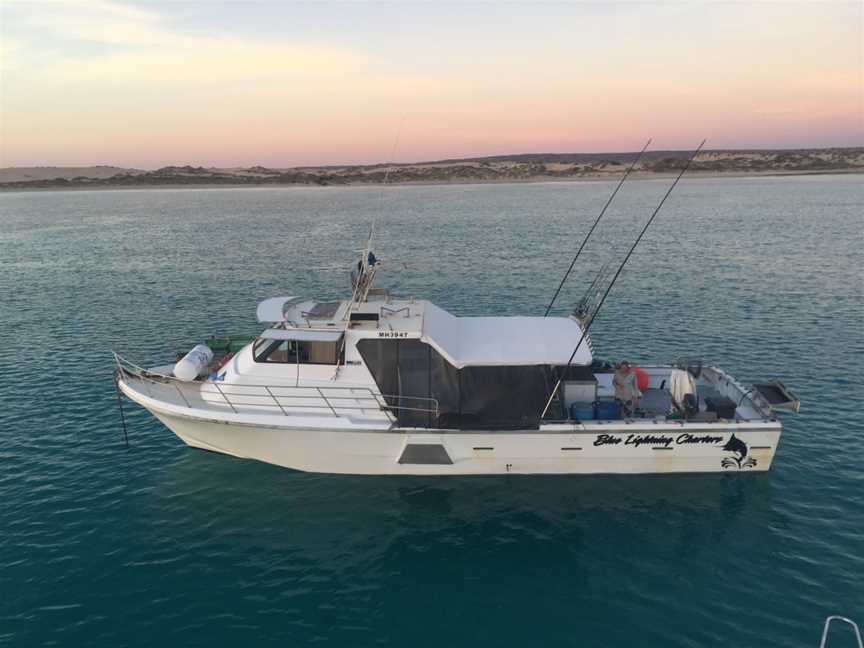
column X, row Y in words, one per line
column 463, row 341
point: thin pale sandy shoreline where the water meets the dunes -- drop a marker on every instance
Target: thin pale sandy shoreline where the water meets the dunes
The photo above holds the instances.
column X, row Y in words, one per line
column 635, row 176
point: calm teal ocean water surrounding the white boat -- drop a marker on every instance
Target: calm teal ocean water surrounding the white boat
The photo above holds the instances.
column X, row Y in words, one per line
column 159, row 544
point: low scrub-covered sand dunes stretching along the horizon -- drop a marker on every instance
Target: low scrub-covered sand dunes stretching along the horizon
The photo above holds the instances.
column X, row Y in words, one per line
column 515, row 168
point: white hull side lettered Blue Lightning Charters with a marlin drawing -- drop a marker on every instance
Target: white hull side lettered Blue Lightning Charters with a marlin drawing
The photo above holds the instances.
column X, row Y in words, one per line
column 636, row 449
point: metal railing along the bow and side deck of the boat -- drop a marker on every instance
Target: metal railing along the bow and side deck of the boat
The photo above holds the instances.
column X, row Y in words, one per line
column 336, row 401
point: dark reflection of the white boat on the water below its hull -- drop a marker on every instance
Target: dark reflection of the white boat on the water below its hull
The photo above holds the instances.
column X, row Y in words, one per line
column 253, row 505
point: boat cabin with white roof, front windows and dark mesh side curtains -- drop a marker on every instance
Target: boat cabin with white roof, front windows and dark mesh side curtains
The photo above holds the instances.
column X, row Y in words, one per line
column 481, row 372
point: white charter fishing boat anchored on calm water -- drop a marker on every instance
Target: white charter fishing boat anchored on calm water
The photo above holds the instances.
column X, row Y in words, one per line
column 380, row 384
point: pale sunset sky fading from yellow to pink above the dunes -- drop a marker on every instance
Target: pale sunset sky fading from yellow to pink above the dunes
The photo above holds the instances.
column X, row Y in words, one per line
column 277, row 83
